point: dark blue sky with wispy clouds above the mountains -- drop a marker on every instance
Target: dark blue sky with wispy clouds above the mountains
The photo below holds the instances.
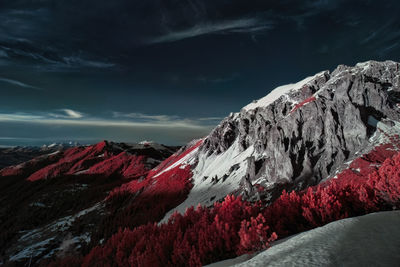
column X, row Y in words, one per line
column 168, row 71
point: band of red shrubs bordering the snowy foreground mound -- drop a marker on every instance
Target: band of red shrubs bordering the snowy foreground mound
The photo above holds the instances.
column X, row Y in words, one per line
column 234, row 227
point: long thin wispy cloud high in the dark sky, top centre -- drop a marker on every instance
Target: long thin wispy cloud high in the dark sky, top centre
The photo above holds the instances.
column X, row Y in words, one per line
column 245, row 25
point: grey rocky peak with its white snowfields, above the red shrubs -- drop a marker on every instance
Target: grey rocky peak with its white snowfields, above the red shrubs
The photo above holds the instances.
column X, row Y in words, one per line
column 297, row 135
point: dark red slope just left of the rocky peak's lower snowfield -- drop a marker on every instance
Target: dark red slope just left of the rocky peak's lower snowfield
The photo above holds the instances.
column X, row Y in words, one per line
column 142, row 201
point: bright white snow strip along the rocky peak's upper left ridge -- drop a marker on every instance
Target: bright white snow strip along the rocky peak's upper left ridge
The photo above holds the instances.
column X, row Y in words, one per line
column 280, row 91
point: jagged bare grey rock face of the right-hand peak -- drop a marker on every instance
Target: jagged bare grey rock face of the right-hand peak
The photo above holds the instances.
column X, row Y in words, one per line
column 302, row 144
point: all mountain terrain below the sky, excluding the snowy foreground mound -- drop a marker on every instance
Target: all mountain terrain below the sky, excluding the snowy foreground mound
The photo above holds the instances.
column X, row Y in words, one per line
column 309, row 153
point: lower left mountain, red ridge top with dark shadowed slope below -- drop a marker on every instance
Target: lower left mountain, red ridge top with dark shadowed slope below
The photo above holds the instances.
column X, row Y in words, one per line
column 56, row 200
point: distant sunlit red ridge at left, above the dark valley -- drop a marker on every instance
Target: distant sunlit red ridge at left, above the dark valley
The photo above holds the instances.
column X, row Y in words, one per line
column 106, row 158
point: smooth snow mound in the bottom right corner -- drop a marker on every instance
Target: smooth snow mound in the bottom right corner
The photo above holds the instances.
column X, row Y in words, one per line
column 370, row 240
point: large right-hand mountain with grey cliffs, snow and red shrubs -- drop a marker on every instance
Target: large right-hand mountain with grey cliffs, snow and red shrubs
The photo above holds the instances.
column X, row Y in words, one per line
column 331, row 140
